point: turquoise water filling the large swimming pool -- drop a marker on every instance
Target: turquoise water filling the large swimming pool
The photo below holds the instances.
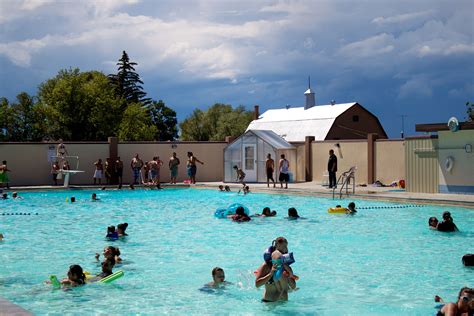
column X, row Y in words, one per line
column 380, row 261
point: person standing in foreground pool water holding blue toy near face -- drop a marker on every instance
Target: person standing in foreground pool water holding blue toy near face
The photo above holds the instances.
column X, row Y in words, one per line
column 275, row 290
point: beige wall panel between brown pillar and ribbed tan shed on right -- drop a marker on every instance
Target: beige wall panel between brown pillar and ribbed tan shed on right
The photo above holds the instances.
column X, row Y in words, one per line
column 389, row 160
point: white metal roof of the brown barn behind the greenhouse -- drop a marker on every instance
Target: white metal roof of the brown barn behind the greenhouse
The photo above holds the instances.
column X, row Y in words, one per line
column 294, row 124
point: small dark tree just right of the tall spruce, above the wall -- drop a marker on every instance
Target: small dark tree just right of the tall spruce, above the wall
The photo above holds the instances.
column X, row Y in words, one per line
column 164, row 118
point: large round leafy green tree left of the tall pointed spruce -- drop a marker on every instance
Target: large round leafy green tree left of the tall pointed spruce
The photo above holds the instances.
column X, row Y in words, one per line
column 80, row 105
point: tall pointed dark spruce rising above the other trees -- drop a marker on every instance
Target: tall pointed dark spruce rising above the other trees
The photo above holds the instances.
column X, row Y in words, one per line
column 127, row 82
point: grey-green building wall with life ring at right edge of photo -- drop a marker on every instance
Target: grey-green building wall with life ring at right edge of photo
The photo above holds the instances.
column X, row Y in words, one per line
column 461, row 177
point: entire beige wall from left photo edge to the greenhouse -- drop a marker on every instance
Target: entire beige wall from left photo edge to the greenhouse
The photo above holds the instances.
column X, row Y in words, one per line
column 30, row 166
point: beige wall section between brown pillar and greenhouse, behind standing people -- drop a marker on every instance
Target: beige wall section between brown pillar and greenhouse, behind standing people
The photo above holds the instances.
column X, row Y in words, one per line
column 211, row 153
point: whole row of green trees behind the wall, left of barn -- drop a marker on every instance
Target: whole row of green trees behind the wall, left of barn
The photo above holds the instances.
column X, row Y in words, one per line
column 91, row 106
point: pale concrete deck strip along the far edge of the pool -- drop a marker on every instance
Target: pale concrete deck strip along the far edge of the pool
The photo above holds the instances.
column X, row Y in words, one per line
column 314, row 189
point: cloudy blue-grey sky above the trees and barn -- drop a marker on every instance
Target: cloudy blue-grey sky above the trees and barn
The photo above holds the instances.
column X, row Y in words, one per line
column 407, row 57
